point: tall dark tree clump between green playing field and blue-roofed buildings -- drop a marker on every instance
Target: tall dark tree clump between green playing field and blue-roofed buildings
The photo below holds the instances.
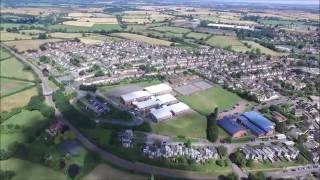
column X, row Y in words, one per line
column 212, row 126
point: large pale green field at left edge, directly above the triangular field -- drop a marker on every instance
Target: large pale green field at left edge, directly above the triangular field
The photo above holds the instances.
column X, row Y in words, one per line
column 12, row 67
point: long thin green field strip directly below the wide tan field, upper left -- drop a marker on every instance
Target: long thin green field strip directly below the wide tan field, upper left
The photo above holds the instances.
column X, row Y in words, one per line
column 96, row 27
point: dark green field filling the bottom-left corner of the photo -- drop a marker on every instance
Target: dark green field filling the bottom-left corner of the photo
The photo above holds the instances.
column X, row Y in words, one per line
column 30, row 171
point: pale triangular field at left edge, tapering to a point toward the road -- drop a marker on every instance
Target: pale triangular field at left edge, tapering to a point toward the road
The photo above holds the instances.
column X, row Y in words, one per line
column 8, row 86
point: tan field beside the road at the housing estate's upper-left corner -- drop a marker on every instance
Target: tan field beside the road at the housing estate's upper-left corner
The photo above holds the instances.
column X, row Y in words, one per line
column 24, row 45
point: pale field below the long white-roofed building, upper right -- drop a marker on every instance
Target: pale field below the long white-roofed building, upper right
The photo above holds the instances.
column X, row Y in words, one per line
column 225, row 41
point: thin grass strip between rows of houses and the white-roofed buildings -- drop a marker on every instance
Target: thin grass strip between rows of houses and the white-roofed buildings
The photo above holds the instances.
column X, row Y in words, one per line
column 143, row 83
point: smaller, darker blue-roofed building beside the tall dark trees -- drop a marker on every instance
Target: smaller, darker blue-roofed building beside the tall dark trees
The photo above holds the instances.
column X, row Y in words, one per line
column 229, row 124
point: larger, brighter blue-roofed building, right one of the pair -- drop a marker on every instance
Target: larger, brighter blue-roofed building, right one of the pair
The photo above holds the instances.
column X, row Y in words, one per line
column 260, row 121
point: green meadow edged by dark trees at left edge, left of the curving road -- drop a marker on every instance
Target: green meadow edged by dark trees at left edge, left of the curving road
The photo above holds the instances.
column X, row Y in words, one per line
column 25, row 119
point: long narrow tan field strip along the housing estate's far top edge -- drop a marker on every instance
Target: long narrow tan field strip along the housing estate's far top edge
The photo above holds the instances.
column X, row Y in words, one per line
column 141, row 38
